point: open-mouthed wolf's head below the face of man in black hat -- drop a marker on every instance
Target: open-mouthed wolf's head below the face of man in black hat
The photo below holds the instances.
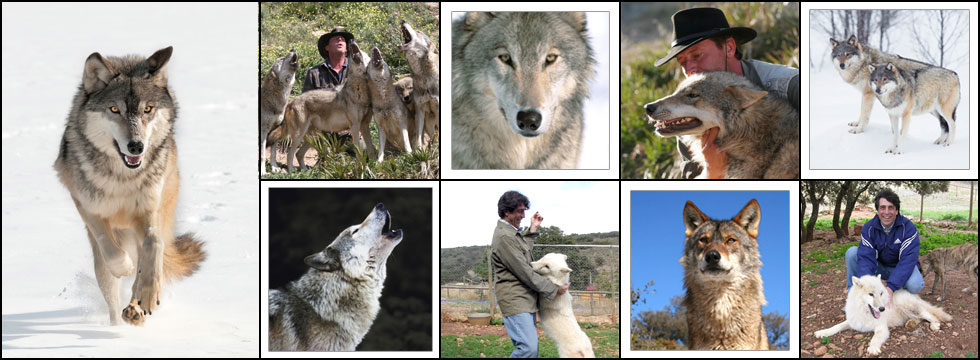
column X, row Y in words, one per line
column 703, row 101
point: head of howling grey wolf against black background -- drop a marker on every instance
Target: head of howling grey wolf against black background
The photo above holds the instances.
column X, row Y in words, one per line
column 360, row 251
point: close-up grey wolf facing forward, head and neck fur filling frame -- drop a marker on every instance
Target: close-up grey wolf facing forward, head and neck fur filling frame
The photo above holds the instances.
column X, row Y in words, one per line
column 519, row 84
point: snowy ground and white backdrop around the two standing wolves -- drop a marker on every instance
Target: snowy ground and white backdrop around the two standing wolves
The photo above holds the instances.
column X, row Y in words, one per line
column 834, row 103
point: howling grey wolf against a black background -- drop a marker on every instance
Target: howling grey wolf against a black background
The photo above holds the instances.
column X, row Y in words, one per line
column 332, row 306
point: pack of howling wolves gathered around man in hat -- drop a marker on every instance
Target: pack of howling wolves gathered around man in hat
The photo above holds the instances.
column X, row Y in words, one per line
column 401, row 119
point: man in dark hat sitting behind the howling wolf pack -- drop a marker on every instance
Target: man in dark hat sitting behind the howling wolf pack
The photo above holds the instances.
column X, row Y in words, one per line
column 333, row 48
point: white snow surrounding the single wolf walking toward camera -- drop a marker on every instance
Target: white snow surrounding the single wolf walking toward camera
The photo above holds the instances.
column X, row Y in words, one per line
column 52, row 306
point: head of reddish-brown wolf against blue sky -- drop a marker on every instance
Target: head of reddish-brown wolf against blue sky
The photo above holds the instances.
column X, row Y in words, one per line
column 721, row 250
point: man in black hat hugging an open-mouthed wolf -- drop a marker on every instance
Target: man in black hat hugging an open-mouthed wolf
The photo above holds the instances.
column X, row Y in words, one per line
column 695, row 55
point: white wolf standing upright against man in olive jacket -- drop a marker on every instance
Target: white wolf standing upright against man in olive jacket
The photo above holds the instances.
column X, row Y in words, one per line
column 557, row 317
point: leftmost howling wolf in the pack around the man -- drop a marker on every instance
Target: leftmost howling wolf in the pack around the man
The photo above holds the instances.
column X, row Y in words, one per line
column 275, row 89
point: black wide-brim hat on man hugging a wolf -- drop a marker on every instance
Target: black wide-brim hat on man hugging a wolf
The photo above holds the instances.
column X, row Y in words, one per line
column 693, row 25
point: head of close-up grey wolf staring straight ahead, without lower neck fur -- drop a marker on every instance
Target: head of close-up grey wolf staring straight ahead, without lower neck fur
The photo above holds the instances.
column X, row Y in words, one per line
column 531, row 62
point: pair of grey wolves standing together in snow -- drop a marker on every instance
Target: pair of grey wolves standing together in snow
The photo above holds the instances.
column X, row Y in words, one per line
column 905, row 87
